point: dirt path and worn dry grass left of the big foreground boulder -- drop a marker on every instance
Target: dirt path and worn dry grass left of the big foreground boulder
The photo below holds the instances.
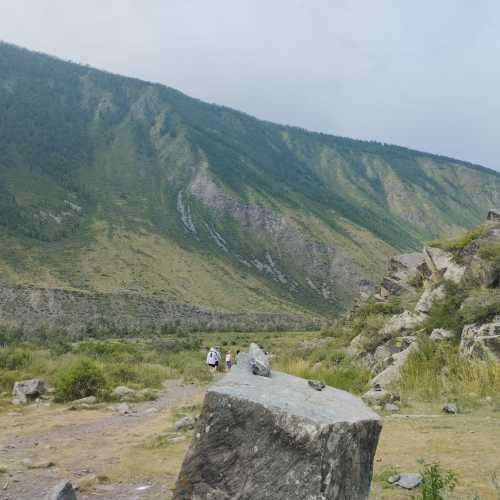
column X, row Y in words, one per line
column 104, row 452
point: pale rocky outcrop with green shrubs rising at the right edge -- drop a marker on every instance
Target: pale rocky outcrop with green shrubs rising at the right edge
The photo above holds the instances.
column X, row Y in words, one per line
column 441, row 288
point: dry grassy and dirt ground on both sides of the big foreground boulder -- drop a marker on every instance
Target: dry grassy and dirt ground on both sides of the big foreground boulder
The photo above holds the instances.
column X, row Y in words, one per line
column 137, row 456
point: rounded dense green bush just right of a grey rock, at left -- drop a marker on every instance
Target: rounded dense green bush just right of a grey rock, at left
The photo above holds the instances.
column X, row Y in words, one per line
column 80, row 379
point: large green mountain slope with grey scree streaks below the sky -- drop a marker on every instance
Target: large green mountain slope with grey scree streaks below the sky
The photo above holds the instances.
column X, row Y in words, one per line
column 110, row 183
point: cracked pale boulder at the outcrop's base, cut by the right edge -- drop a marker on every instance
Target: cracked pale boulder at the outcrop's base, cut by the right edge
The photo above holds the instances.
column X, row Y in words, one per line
column 481, row 341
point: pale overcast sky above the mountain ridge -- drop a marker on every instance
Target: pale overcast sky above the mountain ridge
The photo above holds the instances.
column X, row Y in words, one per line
column 419, row 73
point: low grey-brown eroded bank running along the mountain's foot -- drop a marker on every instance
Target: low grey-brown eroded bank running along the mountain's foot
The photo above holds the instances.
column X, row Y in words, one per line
column 31, row 310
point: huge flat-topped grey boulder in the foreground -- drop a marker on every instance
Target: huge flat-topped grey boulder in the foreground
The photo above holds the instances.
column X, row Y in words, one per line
column 275, row 438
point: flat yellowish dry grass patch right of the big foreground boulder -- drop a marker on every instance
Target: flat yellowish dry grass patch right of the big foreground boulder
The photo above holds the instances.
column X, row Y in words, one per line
column 466, row 444
